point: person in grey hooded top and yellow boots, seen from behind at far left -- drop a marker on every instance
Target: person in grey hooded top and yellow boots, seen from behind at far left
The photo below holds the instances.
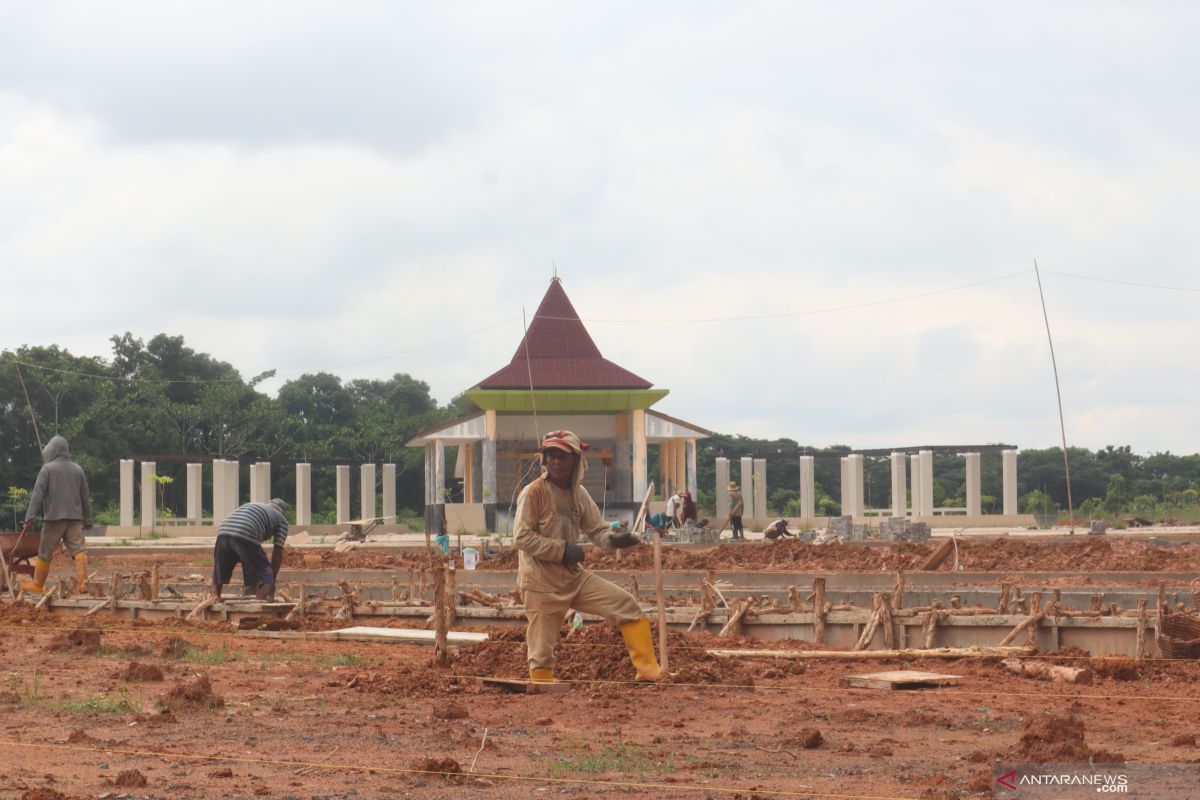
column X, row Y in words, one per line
column 61, row 496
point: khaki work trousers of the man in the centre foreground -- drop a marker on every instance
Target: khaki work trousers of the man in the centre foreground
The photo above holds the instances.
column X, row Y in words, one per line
column 547, row 610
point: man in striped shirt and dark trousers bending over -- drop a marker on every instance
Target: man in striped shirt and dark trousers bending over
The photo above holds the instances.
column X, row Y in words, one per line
column 241, row 540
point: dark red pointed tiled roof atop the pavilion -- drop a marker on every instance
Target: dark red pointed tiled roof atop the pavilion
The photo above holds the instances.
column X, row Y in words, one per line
column 562, row 354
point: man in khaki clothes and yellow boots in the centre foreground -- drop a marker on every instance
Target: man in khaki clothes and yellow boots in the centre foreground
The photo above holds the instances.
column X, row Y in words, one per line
column 553, row 514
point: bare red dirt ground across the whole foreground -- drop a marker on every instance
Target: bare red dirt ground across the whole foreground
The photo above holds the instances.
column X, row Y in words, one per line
column 353, row 720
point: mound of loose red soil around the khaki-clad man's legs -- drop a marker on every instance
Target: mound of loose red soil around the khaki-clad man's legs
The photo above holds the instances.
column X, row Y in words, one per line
column 598, row 653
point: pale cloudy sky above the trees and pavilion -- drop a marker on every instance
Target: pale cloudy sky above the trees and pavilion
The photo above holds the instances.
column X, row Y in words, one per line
column 815, row 221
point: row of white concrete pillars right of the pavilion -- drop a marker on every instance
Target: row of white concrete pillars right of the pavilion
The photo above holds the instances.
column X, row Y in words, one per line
column 754, row 485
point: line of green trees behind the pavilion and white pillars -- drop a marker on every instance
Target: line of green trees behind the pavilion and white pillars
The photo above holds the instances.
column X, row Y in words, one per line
column 163, row 401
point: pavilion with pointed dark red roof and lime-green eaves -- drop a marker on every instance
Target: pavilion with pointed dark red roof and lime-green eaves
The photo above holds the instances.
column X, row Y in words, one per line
column 557, row 380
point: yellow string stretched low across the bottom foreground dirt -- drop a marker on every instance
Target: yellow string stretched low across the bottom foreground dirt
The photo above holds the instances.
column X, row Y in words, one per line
column 401, row 771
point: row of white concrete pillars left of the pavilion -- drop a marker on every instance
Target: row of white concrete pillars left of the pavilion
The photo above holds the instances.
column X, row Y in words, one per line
column 227, row 494
